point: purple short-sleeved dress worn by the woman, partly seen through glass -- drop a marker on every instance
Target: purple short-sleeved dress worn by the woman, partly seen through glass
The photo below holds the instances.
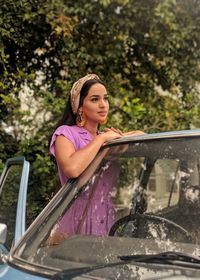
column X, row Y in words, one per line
column 100, row 213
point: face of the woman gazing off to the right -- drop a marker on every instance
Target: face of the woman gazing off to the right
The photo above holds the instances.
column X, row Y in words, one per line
column 95, row 105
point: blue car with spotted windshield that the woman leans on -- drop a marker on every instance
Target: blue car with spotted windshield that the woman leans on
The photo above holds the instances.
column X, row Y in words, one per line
column 153, row 187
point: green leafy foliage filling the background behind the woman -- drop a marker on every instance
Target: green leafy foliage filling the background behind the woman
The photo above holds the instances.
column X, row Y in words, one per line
column 147, row 52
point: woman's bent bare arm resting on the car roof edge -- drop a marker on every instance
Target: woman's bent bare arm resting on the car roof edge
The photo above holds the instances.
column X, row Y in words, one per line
column 72, row 162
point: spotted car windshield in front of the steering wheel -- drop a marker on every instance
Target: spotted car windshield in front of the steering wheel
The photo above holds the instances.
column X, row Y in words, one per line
column 136, row 198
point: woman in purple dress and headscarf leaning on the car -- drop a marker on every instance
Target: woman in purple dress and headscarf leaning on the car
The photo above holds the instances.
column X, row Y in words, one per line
column 74, row 144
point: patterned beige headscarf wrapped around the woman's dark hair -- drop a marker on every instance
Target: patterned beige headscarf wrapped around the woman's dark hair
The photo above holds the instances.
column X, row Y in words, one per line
column 76, row 89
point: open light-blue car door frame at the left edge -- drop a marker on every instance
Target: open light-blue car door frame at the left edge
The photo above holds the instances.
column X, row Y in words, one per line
column 13, row 193
